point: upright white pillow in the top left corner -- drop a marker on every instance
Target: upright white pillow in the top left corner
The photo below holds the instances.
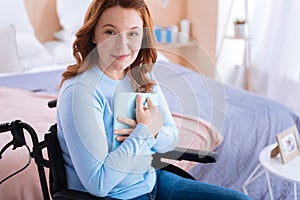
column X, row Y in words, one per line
column 14, row 12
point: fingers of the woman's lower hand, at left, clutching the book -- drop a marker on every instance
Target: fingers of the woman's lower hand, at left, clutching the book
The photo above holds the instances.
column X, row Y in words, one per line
column 122, row 134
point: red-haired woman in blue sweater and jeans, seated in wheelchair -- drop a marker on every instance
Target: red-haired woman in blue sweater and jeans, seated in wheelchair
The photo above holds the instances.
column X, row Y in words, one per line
column 115, row 52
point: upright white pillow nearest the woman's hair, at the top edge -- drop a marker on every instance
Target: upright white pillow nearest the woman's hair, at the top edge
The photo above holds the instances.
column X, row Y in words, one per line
column 71, row 16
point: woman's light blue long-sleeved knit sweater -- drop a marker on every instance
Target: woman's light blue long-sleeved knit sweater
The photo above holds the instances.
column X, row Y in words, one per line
column 85, row 133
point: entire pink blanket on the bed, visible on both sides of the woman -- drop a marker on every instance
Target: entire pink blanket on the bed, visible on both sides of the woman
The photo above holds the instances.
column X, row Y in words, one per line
column 32, row 108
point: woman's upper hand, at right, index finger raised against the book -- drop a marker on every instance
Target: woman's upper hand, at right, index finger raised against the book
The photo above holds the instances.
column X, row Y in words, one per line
column 150, row 116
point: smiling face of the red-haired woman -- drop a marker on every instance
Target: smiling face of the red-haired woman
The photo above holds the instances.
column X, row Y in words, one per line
column 118, row 35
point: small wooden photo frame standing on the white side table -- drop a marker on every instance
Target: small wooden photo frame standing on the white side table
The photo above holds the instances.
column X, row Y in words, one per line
column 289, row 144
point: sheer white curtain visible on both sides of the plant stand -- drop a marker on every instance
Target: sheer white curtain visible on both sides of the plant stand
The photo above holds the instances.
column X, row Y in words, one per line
column 275, row 49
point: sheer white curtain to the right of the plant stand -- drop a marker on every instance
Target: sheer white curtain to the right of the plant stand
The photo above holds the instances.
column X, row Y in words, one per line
column 276, row 50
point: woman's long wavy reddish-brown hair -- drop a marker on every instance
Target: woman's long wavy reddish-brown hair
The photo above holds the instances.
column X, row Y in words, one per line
column 85, row 51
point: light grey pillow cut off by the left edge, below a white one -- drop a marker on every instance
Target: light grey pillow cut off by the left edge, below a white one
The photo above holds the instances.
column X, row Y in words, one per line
column 9, row 61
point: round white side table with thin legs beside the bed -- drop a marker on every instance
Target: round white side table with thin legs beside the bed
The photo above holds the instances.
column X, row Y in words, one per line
column 288, row 171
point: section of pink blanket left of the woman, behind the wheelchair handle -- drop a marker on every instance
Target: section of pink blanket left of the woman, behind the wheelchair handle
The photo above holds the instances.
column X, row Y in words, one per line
column 30, row 108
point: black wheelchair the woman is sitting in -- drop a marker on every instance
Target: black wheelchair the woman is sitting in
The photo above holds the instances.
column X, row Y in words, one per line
column 57, row 184
